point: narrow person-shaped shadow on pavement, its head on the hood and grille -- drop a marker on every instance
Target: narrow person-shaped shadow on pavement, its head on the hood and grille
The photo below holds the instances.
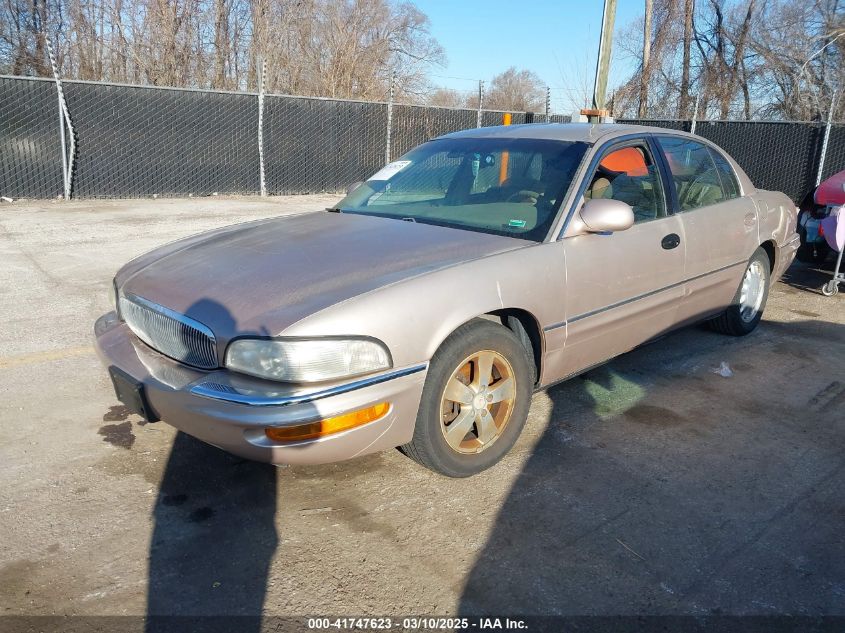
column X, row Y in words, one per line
column 214, row 534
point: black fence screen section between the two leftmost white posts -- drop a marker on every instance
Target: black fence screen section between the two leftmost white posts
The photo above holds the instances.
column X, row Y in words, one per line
column 140, row 141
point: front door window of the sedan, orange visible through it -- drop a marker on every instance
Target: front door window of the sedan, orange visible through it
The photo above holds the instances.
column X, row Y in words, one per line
column 629, row 174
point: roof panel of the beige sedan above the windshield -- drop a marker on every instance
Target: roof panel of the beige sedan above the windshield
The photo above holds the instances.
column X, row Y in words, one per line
column 584, row 132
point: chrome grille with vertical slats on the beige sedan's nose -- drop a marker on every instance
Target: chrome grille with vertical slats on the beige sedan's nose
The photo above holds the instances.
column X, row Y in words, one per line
column 169, row 332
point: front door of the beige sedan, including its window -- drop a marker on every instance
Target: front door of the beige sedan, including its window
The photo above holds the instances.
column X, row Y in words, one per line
column 623, row 288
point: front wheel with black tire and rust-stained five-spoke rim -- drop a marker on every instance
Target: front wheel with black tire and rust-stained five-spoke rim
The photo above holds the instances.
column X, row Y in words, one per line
column 458, row 360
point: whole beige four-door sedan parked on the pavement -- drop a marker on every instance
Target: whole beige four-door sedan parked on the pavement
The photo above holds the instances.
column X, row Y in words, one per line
column 424, row 310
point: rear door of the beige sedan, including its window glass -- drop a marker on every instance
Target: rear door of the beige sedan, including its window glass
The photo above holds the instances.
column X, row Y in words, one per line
column 720, row 224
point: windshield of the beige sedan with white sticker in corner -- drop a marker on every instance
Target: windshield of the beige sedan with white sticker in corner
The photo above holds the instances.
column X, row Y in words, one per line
column 505, row 186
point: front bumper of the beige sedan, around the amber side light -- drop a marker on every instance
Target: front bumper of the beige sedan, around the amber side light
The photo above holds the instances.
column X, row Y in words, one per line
column 231, row 411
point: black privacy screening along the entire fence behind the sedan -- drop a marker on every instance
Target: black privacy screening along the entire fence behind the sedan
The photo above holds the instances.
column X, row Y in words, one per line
column 135, row 141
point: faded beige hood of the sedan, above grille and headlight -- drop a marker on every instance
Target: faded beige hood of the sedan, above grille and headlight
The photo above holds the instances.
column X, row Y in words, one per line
column 261, row 277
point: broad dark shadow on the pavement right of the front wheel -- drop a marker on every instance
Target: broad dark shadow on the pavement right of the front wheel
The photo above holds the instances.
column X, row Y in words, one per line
column 661, row 488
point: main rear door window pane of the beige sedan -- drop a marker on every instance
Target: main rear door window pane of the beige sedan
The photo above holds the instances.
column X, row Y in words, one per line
column 695, row 174
